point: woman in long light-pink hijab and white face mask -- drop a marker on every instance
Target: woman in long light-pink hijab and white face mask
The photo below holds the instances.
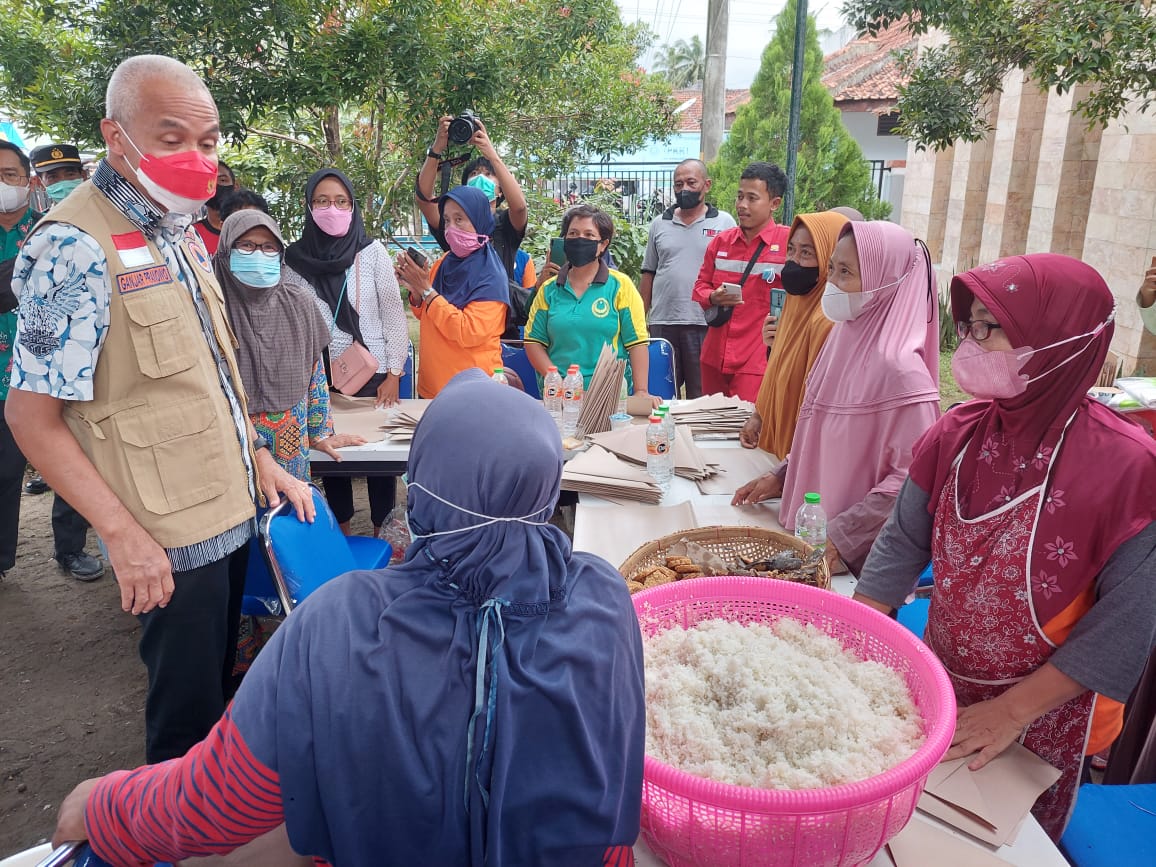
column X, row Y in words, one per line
column 872, row 394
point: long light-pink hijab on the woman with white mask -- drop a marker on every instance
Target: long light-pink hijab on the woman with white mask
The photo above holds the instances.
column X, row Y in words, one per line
column 875, row 389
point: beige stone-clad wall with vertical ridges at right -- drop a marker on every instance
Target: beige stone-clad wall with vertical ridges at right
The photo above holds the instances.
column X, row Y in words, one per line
column 1043, row 182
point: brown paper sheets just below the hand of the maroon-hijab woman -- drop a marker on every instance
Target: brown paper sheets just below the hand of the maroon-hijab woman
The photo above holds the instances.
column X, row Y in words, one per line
column 992, row 803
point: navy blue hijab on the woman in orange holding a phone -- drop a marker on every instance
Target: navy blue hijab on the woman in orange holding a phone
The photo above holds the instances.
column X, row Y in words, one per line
column 481, row 276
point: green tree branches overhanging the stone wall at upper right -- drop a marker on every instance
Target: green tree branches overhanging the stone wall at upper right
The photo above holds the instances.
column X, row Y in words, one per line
column 1105, row 45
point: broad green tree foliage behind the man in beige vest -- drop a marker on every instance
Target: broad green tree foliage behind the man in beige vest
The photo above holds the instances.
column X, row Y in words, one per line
column 305, row 84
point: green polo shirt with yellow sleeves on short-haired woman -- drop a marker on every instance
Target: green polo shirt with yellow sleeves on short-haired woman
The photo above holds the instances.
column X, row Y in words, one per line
column 575, row 330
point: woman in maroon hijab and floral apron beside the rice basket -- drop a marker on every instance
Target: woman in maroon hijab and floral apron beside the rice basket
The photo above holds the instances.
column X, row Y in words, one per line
column 1035, row 506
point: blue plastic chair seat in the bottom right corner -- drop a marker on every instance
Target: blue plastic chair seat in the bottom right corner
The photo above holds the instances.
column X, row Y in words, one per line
column 1111, row 827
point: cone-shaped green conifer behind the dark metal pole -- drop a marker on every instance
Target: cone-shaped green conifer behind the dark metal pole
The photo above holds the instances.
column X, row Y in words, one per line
column 831, row 168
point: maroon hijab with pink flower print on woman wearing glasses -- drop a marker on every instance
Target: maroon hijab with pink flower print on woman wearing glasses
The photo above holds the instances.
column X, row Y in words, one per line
column 1100, row 469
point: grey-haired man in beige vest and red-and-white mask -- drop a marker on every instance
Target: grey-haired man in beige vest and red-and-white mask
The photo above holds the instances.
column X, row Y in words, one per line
column 125, row 391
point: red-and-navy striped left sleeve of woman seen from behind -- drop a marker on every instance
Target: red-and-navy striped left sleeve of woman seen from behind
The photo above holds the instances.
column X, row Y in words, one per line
column 211, row 802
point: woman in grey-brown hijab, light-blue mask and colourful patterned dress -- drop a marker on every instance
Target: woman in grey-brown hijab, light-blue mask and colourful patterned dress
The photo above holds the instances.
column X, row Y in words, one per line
column 281, row 335
